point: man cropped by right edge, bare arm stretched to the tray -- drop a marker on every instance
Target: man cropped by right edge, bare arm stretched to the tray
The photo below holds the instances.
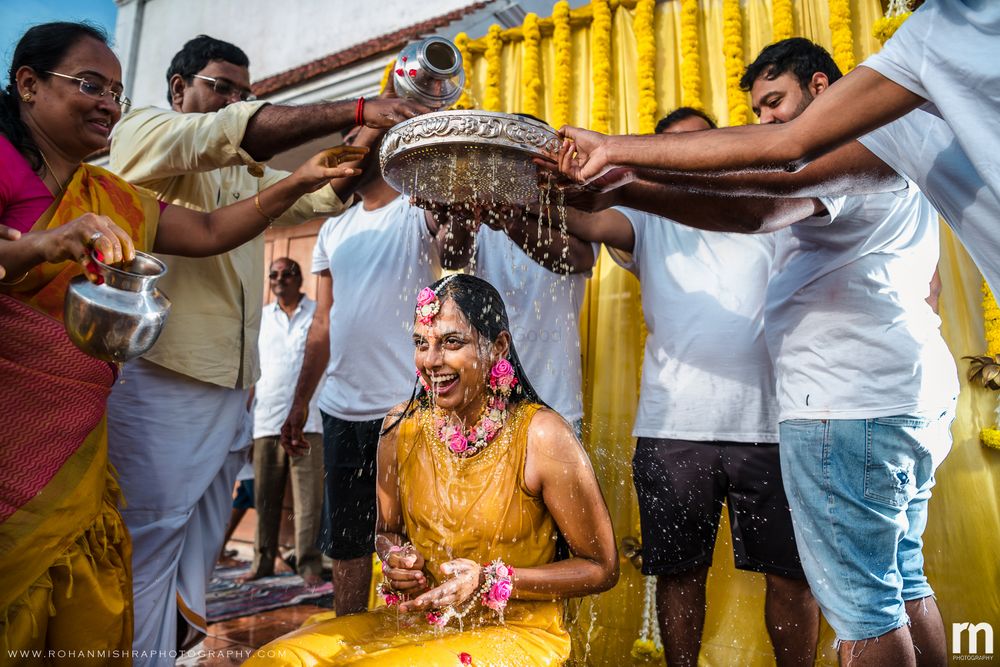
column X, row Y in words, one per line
column 942, row 59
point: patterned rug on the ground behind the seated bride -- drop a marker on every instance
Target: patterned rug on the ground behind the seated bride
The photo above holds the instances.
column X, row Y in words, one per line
column 227, row 598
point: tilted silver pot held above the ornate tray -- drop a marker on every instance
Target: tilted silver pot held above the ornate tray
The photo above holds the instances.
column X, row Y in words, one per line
column 430, row 72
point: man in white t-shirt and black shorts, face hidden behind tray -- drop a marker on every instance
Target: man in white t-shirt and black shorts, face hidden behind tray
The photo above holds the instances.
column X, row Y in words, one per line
column 372, row 260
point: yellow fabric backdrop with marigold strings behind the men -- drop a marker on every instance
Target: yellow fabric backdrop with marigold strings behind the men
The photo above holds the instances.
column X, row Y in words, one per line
column 591, row 74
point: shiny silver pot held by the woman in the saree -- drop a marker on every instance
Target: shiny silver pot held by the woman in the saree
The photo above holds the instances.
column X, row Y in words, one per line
column 120, row 319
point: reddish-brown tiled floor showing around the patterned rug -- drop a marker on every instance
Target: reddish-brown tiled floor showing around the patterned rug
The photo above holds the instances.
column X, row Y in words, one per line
column 232, row 642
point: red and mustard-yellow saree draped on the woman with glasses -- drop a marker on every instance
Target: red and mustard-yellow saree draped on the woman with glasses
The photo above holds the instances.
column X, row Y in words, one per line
column 65, row 571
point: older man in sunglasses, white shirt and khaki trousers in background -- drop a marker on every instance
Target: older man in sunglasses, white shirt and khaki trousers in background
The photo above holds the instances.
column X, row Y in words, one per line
column 284, row 325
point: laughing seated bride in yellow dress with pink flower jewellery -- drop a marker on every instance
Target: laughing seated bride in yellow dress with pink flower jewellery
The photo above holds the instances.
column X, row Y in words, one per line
column 477, row 483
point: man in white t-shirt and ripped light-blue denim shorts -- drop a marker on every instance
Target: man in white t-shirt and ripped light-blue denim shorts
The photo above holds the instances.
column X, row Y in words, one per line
column 866, row 386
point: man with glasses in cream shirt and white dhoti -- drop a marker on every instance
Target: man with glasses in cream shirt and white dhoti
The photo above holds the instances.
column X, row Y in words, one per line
column 179, row 423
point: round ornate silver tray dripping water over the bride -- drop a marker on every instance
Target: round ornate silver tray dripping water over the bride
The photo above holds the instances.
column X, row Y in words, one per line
column 464, row 156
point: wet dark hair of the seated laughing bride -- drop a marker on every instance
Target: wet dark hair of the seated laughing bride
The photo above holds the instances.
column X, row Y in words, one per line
column 483, row 307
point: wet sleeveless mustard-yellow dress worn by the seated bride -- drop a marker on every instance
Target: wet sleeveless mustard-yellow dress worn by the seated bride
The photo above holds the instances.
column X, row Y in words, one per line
column 477, row 508
